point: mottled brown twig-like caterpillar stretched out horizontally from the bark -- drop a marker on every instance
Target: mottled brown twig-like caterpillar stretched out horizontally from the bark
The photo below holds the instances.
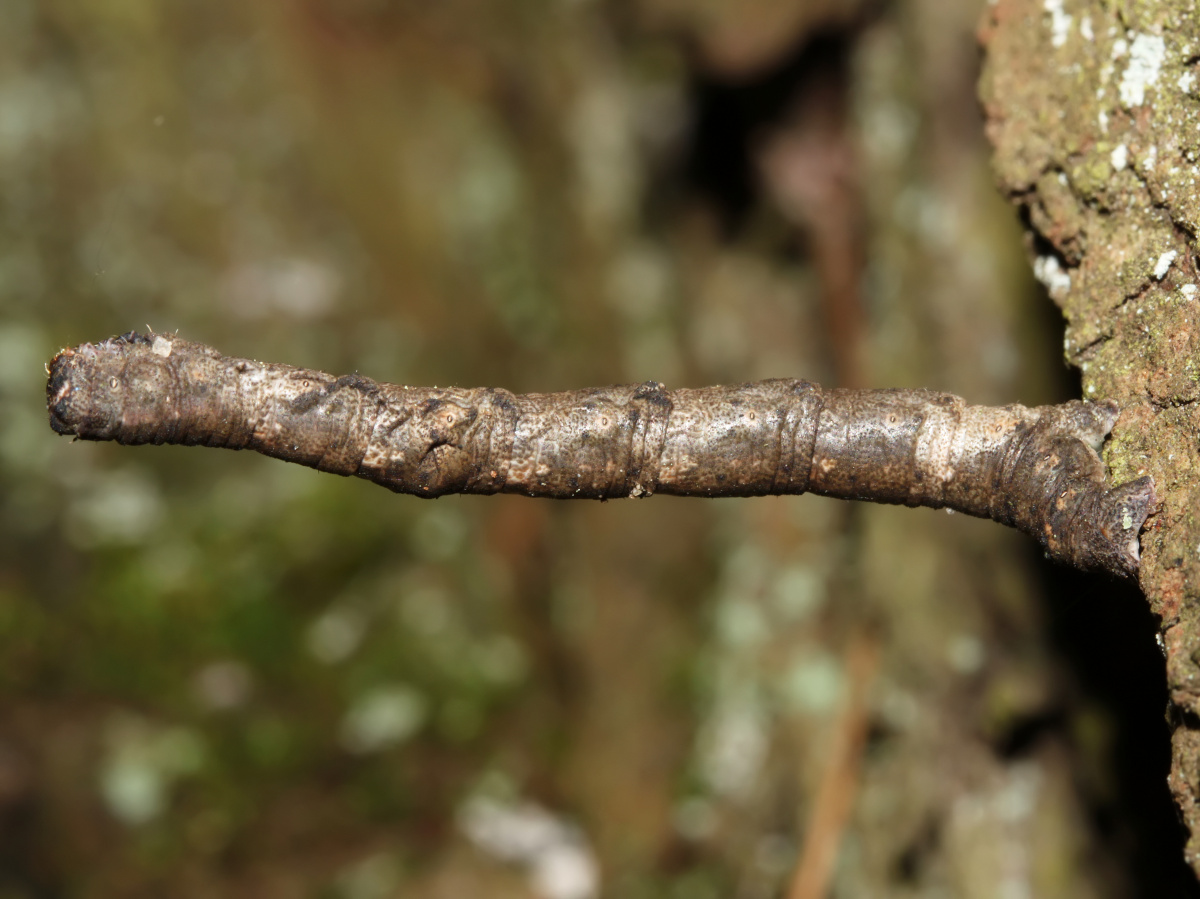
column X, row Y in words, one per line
column 1036, row 470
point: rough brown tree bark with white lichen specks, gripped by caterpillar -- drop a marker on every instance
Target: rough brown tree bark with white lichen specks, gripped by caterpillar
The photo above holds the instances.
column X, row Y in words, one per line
column 1095, row 116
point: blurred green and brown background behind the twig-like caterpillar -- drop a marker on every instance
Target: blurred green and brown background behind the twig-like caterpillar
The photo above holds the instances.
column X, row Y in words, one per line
column 224, row 676
